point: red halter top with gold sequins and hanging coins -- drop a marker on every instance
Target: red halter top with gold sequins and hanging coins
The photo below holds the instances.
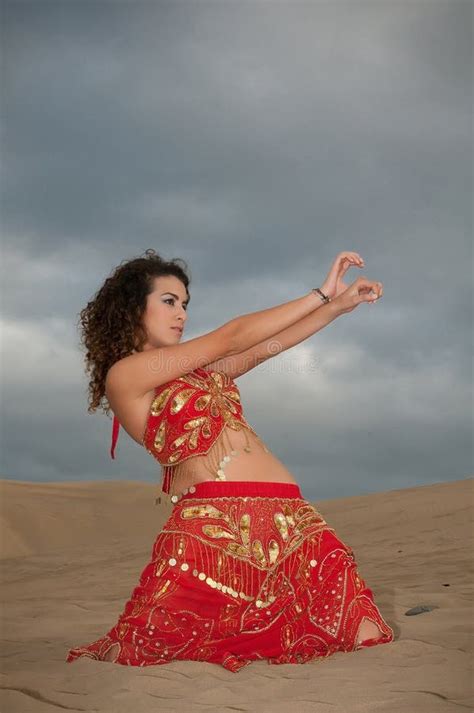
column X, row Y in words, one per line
column 189, row 416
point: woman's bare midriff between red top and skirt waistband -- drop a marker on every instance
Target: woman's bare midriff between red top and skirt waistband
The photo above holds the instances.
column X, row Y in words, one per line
column 236, row 455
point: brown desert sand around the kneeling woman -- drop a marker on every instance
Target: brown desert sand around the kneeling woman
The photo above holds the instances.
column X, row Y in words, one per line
column 72, row 553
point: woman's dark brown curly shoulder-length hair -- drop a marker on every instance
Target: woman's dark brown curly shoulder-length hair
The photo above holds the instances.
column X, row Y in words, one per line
column 111, row 323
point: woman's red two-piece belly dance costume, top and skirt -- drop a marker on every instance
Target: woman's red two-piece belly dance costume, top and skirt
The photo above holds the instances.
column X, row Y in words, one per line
column 242, row 570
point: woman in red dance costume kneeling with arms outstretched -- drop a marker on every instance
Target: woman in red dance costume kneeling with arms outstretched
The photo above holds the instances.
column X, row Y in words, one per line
column 244, row 568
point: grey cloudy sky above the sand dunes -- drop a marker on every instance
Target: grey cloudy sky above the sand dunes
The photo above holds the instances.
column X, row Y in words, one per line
column 256, row 140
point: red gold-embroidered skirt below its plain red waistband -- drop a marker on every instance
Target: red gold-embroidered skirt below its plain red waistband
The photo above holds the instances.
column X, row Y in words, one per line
column 228, row 570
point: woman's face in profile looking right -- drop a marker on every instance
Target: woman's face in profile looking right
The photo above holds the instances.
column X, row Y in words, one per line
column 165, row 310
